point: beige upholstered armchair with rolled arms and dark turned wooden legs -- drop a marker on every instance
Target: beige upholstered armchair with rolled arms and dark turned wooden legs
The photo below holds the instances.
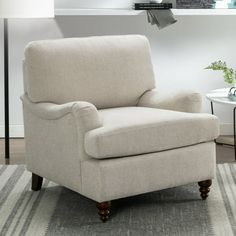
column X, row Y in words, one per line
column 95, row 124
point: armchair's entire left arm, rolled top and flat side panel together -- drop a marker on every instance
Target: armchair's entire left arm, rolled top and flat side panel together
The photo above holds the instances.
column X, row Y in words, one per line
column 54, row 137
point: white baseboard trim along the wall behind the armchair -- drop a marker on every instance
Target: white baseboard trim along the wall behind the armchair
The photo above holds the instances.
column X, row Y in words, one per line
column 17, row 131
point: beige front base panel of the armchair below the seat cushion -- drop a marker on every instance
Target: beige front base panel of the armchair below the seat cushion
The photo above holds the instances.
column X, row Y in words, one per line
column 109, row 179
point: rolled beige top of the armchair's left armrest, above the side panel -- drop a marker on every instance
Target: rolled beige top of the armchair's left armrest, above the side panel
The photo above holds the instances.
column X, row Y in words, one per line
column 84, row 112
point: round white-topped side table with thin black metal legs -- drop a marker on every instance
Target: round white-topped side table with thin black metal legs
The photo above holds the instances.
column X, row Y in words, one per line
column 220, row 96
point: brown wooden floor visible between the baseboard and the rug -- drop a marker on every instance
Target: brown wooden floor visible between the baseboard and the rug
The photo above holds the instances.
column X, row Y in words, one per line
column 223, row 153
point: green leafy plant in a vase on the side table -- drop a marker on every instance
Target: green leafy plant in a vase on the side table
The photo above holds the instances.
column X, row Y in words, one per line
column 229, row 76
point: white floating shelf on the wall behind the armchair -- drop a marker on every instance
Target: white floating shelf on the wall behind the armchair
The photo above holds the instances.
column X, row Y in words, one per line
column 127, row 12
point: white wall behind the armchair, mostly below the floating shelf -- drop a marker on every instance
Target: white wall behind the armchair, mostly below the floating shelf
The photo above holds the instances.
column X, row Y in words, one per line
column 180, row 52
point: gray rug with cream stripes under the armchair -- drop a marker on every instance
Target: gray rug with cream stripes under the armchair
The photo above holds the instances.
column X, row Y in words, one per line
column 58, row 211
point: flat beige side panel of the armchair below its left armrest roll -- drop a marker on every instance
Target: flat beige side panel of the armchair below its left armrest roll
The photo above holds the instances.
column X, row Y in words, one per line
column 52, row 149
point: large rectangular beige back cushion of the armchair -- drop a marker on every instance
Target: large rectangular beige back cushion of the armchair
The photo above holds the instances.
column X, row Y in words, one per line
column 108, row 71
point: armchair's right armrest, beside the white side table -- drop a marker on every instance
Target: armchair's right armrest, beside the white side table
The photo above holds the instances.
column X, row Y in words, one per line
column 185, row 101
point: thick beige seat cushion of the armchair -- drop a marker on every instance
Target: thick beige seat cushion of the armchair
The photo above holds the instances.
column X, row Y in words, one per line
column 138, row 130
